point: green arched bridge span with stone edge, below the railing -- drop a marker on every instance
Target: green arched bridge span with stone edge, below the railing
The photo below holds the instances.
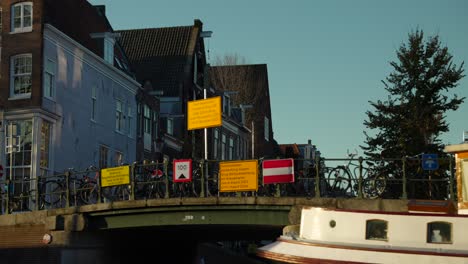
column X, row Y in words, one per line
column 118, row 228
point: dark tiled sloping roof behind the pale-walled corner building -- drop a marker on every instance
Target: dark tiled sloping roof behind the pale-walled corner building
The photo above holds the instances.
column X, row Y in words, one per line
column 161, row 55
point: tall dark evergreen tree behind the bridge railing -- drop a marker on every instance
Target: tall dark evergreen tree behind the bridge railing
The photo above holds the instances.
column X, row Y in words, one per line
column 412, row 118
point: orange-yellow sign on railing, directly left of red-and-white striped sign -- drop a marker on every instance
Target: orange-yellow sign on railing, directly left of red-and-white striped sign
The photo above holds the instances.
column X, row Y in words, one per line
column 238, row 176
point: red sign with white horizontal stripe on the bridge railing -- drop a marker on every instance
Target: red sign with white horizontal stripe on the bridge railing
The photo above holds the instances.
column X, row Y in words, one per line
column 278, row 171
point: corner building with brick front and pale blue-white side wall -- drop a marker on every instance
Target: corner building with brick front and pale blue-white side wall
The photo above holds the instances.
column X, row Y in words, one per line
column 67, row 97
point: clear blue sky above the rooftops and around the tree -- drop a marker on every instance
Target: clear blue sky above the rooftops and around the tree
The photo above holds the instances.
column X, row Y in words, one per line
column 325, row 58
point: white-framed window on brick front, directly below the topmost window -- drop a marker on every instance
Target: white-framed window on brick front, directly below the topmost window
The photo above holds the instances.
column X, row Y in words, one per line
column 20, row 80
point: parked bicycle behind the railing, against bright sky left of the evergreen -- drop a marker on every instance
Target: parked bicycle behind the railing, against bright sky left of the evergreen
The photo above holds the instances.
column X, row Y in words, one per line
column 343, row 179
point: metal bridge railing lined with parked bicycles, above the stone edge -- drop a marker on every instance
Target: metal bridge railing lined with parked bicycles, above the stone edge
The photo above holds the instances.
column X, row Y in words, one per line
column 404, row 178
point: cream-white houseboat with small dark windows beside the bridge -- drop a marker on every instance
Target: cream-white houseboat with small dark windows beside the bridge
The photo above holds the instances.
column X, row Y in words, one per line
column 430, row 231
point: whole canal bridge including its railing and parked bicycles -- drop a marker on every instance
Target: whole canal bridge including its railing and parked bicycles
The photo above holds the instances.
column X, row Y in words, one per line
column 75, row 220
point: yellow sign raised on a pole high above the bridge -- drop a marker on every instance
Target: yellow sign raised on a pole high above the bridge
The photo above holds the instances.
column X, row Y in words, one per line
column 204, row 113
